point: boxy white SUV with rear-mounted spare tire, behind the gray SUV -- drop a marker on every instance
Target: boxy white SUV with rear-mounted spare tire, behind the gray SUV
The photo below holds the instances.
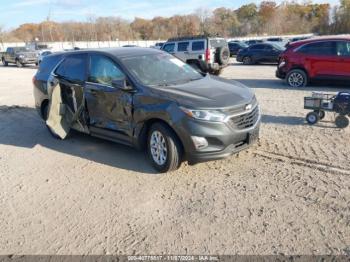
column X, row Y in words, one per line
column 207, row 54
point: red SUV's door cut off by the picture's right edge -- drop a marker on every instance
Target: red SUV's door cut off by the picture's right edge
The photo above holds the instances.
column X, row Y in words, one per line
column 343, row 64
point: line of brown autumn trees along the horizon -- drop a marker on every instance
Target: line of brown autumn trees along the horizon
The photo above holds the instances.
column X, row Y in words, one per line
column 289, row 17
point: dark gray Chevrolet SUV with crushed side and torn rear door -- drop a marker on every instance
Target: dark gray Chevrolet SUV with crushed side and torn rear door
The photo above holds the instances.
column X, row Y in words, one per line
column 147, row 99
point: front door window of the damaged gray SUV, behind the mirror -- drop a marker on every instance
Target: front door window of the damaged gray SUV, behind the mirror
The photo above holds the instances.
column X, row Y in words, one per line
column 103, row 70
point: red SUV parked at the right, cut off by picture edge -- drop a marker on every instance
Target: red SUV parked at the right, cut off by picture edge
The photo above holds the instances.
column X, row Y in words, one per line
column 317, row 58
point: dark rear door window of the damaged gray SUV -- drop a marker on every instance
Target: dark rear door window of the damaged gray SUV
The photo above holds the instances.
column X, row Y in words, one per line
column 73, row 68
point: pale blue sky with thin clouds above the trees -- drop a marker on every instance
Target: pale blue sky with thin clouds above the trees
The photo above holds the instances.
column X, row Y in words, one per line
column 18, row 12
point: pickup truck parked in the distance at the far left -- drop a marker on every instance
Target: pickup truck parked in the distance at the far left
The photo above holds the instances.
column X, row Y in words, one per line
column 20, row 56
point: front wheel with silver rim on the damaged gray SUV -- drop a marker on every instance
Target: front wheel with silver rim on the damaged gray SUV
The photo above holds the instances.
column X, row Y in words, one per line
column 173, row 156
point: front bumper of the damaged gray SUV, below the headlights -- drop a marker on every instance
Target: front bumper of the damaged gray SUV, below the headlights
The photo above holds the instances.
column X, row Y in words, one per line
column 223, row 139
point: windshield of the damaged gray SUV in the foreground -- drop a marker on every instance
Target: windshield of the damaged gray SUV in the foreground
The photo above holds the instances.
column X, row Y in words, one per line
column 160, row 70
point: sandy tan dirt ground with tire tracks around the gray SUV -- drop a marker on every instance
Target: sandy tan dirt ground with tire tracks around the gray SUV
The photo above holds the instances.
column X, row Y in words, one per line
column 288, row 194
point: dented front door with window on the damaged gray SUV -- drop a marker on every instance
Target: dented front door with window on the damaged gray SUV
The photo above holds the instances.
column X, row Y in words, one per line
column 109, row 108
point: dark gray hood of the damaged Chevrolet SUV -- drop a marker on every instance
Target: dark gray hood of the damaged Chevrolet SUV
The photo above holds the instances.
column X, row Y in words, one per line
column 208, row 93
